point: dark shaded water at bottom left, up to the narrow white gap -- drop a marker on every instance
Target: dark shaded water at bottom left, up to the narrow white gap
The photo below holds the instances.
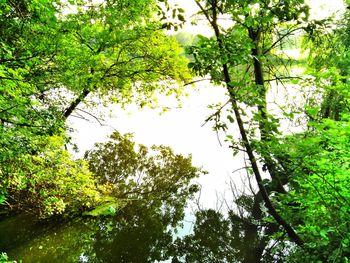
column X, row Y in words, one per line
column 128, row 237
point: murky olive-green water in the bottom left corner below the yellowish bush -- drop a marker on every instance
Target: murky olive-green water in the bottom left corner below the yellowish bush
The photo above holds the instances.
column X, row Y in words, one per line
column 23, row 237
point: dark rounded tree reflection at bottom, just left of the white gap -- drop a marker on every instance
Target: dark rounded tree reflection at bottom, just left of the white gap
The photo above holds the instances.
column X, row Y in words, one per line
column 138, row 235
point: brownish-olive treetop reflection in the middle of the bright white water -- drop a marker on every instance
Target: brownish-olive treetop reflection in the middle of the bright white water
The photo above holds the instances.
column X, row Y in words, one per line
column 155, row 178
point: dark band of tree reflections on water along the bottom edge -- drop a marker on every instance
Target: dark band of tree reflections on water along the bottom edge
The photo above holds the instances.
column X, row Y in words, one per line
column 136, row 234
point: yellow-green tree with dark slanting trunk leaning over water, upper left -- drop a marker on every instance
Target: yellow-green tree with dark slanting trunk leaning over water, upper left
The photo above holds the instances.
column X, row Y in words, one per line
column 119, row 51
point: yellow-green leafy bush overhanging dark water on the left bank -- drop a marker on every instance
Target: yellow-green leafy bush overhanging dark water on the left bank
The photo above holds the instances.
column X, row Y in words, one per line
column 49, row 182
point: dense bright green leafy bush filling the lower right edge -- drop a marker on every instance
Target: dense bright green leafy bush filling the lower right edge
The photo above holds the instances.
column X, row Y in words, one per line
column 319, row 190
